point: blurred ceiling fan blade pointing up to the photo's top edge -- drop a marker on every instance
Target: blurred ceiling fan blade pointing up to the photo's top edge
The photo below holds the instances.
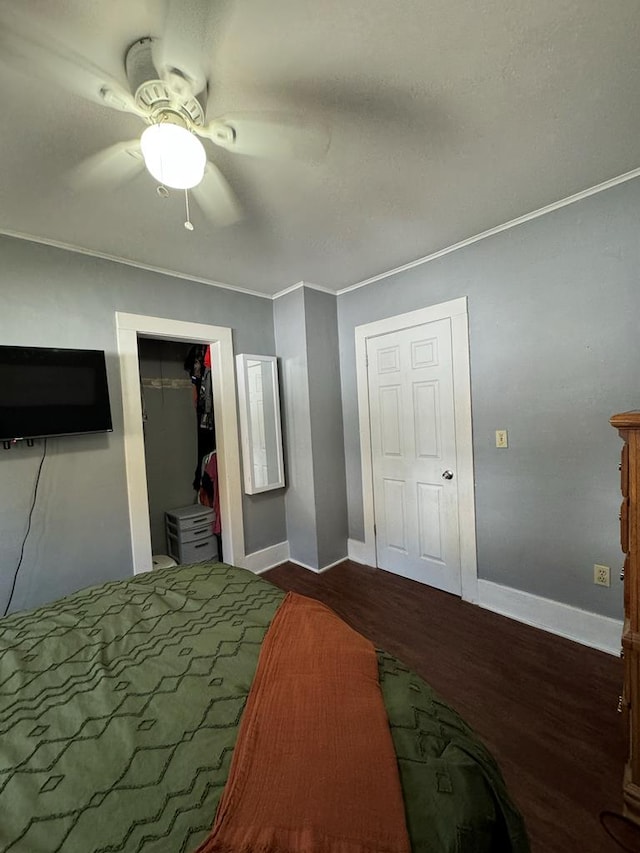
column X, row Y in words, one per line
column 183, row 45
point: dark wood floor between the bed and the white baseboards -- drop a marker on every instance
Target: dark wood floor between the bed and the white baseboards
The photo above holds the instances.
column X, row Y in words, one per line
column 545, row 706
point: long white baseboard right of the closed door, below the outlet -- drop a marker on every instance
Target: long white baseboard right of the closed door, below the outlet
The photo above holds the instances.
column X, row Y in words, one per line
column 582, row 626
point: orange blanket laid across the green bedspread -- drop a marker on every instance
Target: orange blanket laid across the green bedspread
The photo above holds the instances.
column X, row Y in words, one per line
column 314, row 769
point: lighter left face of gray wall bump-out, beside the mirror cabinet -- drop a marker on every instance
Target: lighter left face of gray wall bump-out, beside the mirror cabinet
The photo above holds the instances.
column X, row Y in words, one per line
column 291, row 348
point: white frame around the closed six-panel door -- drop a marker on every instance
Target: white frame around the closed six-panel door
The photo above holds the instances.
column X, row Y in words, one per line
column 456, row 311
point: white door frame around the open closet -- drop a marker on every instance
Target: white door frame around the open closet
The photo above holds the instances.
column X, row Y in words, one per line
column 128, row 327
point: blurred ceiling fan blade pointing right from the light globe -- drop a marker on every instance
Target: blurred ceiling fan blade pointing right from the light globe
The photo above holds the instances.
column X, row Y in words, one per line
column 272, row 135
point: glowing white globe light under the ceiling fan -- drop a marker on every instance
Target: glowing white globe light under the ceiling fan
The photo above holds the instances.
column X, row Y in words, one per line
column 173, row 155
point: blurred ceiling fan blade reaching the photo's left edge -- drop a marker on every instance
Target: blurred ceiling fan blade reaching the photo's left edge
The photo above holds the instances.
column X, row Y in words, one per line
column 25, row 45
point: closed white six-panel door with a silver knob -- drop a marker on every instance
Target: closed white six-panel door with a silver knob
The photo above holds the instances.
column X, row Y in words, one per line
column 413, row 442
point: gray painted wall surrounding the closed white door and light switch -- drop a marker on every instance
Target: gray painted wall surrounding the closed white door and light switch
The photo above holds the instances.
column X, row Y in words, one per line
column 553, row 309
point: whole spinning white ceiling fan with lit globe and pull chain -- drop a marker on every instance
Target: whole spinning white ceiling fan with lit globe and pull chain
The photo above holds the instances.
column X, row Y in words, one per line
column 167, row 88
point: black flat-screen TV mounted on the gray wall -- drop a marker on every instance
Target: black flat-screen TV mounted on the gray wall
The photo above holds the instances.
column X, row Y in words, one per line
column 47, row 392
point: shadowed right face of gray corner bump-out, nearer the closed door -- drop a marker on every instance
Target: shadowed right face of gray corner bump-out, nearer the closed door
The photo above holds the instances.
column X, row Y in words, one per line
column 327, row 436
